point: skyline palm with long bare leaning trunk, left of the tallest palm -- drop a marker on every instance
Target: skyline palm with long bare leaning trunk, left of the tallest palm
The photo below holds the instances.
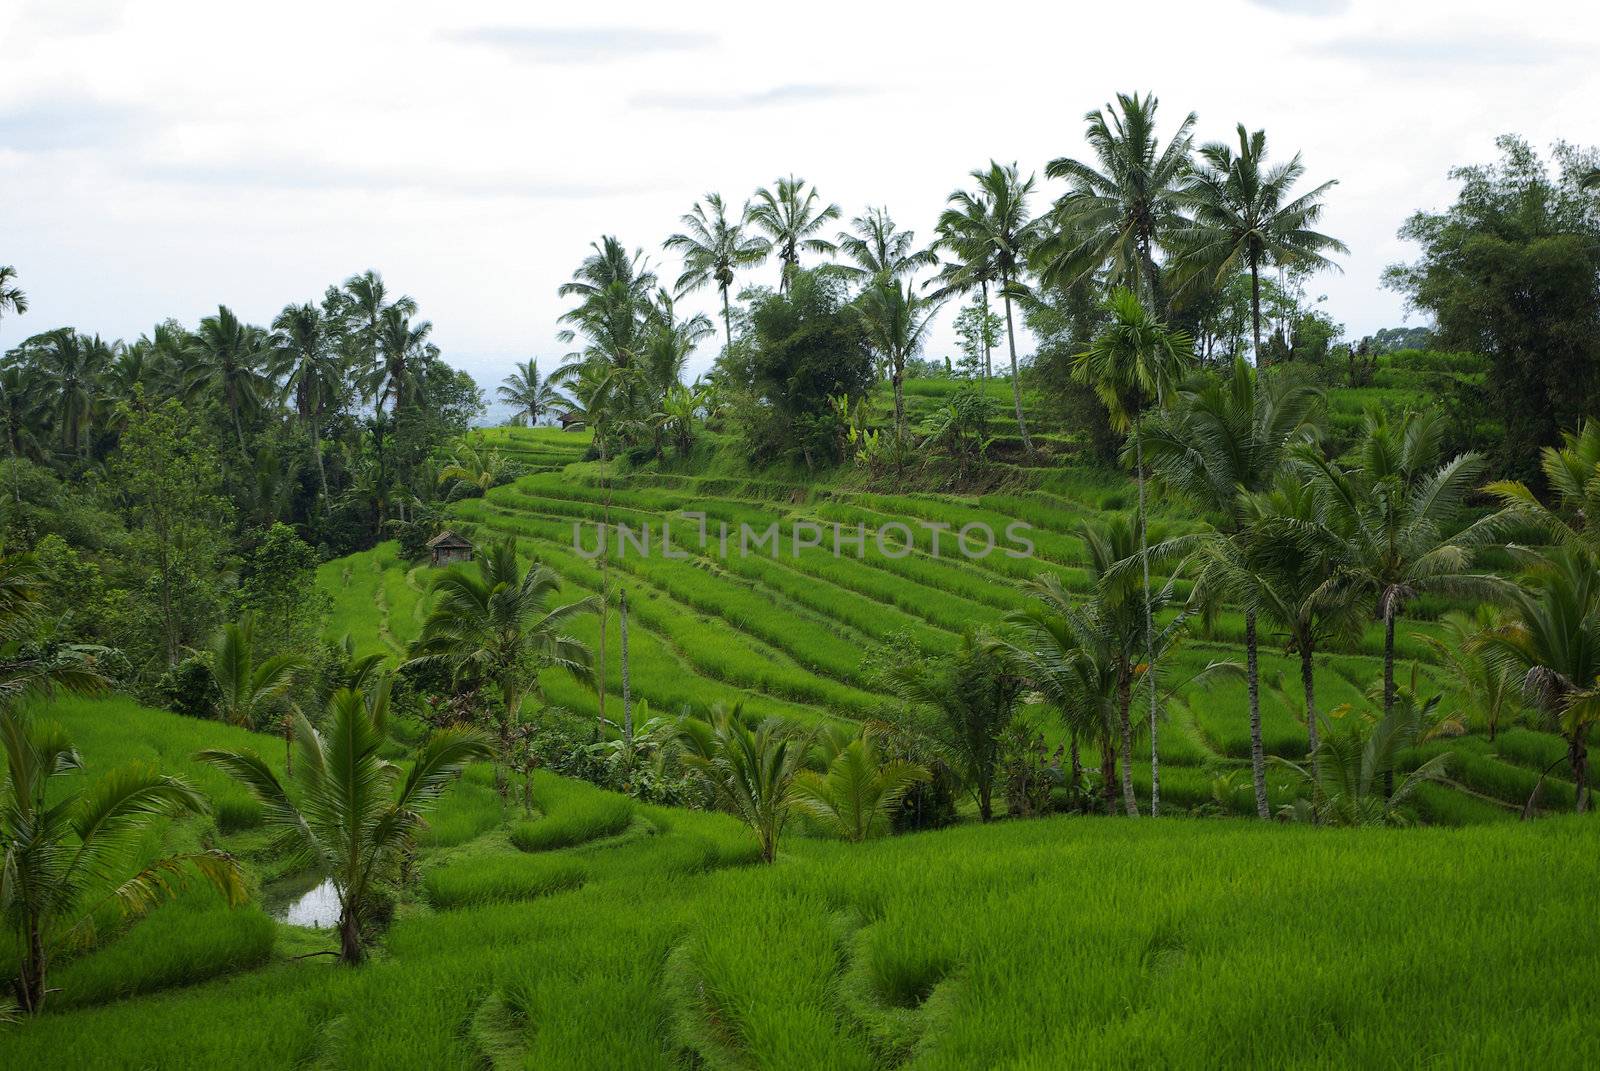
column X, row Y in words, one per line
column 993, row 227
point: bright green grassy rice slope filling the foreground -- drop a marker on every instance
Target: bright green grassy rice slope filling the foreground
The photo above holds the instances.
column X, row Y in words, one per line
column 1042, row 944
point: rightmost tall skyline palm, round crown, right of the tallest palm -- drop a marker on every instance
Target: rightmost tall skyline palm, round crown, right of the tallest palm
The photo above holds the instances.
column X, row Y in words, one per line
column 1246, row 215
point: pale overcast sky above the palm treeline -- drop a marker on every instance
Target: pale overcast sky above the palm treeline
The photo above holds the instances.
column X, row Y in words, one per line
column 162, row 158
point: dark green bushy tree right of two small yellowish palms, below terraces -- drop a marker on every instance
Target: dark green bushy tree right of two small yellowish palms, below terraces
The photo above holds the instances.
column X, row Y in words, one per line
column 962, row 708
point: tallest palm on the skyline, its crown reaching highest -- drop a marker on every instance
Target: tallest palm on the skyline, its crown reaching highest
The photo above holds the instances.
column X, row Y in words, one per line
column 1124, row 207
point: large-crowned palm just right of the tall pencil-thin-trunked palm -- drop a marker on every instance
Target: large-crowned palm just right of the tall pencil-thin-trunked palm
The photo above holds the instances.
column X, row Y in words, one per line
column 1222, row 443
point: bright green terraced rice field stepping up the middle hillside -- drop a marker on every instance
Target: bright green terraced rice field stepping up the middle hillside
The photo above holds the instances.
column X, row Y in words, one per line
column 785, row 632
